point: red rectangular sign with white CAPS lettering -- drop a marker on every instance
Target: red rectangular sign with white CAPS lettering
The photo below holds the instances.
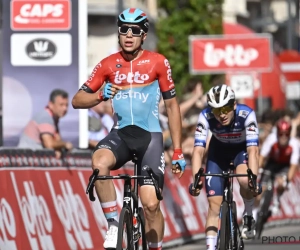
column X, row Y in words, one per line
column 40, row 15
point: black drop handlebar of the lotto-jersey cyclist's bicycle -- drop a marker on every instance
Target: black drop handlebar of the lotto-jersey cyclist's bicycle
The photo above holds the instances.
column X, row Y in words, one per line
column 94, row 177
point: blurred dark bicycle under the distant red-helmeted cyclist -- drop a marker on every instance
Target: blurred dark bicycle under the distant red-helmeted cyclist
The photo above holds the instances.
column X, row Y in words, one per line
column 264, row 212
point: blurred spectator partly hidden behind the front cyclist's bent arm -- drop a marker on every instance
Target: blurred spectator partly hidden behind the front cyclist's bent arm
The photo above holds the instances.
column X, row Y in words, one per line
column 100, row 123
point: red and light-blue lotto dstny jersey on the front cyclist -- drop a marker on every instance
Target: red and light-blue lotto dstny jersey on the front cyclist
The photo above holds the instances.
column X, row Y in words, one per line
column 143, row 80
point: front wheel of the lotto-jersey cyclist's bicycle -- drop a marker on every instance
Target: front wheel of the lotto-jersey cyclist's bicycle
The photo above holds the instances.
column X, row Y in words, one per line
column 125, row 241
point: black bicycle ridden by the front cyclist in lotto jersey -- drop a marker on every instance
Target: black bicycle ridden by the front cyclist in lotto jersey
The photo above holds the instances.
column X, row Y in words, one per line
column 132, row 216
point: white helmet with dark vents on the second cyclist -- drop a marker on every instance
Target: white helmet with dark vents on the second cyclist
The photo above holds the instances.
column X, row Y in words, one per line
column 220, row 96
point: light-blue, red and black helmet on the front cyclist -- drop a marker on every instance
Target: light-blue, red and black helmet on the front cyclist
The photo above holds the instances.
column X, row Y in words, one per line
column 134, row 16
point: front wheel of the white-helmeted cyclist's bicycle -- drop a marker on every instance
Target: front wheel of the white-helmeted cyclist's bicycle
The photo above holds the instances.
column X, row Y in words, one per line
column 225, row 227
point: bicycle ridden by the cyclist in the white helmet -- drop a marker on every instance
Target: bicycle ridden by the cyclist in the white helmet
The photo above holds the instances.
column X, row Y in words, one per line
column 228, row 230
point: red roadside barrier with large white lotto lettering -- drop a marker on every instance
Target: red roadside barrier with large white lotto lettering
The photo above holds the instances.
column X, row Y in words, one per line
column 47, row 208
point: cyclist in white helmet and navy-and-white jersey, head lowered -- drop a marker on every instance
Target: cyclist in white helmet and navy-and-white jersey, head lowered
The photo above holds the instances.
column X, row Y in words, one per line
column 234, row 138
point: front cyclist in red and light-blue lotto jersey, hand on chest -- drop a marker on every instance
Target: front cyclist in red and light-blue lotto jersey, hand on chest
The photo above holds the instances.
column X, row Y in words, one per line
column 134, row 79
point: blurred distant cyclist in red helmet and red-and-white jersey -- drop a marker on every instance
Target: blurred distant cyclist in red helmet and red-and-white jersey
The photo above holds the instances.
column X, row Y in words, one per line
column 279, row 158
